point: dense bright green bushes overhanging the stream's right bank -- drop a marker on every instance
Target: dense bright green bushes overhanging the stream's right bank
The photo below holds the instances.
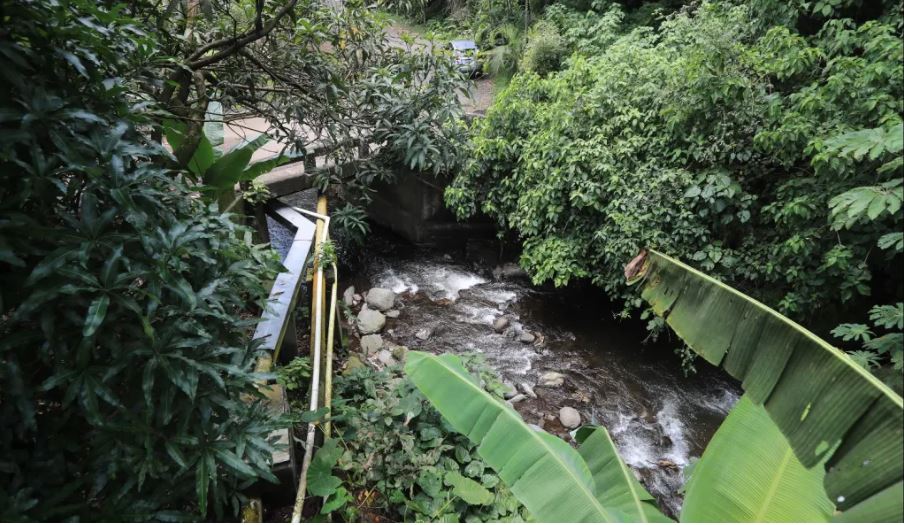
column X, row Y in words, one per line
column 760, row 141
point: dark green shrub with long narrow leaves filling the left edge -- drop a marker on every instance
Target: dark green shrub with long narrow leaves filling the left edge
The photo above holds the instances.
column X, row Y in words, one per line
column 126, row 365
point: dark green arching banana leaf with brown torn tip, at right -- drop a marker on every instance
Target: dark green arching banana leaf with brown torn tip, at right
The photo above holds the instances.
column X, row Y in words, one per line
column 832, row 411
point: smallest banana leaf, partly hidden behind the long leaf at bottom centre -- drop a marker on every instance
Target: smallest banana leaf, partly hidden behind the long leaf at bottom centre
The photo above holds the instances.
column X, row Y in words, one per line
column 616, row 486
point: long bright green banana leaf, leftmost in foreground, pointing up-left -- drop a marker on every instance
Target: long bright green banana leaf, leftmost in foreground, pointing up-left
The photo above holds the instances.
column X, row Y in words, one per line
column 546, row 475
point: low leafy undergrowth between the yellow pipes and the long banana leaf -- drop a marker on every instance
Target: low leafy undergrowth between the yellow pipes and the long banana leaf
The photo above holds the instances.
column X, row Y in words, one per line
column 399, row 460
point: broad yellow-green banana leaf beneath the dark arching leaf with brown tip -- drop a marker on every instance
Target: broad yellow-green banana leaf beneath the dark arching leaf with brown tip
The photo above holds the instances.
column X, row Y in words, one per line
column 749, row 473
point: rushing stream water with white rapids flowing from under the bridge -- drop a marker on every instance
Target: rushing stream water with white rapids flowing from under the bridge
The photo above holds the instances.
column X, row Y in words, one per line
column 659, row 419
